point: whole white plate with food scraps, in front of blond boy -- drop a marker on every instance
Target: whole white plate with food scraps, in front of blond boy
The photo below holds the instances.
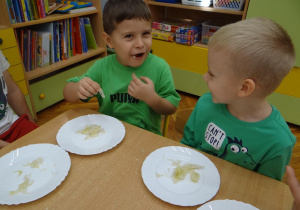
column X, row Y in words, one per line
column 157, row 170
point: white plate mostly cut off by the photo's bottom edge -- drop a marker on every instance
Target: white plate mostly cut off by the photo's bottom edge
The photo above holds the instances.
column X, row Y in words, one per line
column 227, row 205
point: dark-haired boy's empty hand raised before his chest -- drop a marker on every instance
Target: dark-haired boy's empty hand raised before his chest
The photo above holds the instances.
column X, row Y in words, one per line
column 140, row 90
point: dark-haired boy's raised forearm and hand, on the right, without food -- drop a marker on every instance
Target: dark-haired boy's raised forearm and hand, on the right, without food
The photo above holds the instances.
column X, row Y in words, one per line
column 146, row 92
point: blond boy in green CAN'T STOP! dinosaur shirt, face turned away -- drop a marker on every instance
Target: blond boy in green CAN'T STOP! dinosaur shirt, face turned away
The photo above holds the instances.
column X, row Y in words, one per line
column 247, row 61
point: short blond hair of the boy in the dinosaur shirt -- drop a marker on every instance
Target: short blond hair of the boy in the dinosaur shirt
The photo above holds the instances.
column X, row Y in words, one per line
column 260, row 49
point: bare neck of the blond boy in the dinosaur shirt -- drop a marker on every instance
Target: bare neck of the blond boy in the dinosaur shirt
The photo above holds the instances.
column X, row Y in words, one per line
column 253, row 111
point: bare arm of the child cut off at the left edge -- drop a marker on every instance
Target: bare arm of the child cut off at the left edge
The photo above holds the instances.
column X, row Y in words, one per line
column 15, row 97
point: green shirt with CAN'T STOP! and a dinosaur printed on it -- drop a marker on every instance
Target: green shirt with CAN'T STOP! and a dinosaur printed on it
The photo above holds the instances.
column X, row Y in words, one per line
column 265, row 146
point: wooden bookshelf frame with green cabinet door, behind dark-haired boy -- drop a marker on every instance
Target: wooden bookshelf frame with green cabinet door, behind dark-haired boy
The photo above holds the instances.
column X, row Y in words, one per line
column 53, row 77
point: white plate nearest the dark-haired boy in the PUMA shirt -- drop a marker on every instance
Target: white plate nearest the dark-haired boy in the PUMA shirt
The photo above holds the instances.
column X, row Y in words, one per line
column 69, row 138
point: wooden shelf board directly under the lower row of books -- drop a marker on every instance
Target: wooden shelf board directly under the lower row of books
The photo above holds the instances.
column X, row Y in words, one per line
column 61, row 64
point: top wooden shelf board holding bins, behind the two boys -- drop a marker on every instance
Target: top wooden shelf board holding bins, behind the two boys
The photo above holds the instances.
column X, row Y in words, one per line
column 206, row 9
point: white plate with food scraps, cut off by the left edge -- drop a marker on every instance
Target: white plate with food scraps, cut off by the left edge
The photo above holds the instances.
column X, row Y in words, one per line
column 52, row 166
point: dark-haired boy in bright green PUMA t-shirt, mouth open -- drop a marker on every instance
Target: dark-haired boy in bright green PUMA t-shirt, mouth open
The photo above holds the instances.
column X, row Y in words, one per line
column 138, row 86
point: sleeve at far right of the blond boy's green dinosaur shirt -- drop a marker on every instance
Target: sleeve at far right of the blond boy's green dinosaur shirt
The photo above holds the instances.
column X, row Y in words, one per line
column 275, row 166
